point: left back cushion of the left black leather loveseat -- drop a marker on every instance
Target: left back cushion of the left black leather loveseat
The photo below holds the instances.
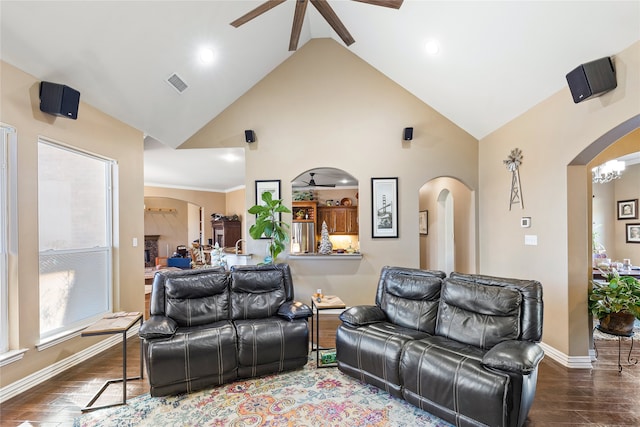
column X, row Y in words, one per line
column 197, row 299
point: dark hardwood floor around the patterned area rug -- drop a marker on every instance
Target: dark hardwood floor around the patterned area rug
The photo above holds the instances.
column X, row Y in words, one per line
column 598, row 397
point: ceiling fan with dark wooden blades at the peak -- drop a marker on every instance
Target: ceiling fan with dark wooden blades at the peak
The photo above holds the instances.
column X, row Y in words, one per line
column 325, row 10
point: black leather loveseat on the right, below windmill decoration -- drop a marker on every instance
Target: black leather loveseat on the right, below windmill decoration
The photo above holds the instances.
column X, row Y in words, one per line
column 462, row 348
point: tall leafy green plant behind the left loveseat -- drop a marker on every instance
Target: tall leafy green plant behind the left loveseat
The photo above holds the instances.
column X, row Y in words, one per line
column 268, row 224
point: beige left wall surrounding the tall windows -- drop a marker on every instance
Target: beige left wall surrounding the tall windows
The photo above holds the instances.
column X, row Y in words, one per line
column 94, row 132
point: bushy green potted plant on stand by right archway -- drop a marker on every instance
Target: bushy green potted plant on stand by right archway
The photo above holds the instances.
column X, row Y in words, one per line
column 616, row 302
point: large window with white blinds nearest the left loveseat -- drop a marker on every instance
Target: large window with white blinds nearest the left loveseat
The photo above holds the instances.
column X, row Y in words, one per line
column 75, row 229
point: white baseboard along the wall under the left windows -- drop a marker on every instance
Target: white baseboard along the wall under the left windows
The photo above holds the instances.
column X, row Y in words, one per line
column 24, row 384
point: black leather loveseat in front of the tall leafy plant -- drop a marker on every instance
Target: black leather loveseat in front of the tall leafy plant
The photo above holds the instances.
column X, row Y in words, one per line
column 209, row 327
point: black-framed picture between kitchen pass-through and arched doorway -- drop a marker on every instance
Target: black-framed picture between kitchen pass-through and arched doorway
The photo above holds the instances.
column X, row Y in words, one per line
column 384, row 207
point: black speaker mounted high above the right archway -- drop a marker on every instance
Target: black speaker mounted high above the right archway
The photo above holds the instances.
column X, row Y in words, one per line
column 592, row 79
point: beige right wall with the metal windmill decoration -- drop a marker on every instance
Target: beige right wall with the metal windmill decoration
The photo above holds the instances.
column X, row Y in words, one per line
column 556, row 196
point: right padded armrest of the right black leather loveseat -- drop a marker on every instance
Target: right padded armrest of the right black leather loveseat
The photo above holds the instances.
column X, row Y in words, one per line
column 514, row 356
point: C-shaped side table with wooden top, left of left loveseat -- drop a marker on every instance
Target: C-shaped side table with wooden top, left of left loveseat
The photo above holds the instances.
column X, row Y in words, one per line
column 117, row 323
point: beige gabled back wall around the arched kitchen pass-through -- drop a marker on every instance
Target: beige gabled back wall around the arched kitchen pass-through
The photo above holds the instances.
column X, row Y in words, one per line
column 324, row 107
